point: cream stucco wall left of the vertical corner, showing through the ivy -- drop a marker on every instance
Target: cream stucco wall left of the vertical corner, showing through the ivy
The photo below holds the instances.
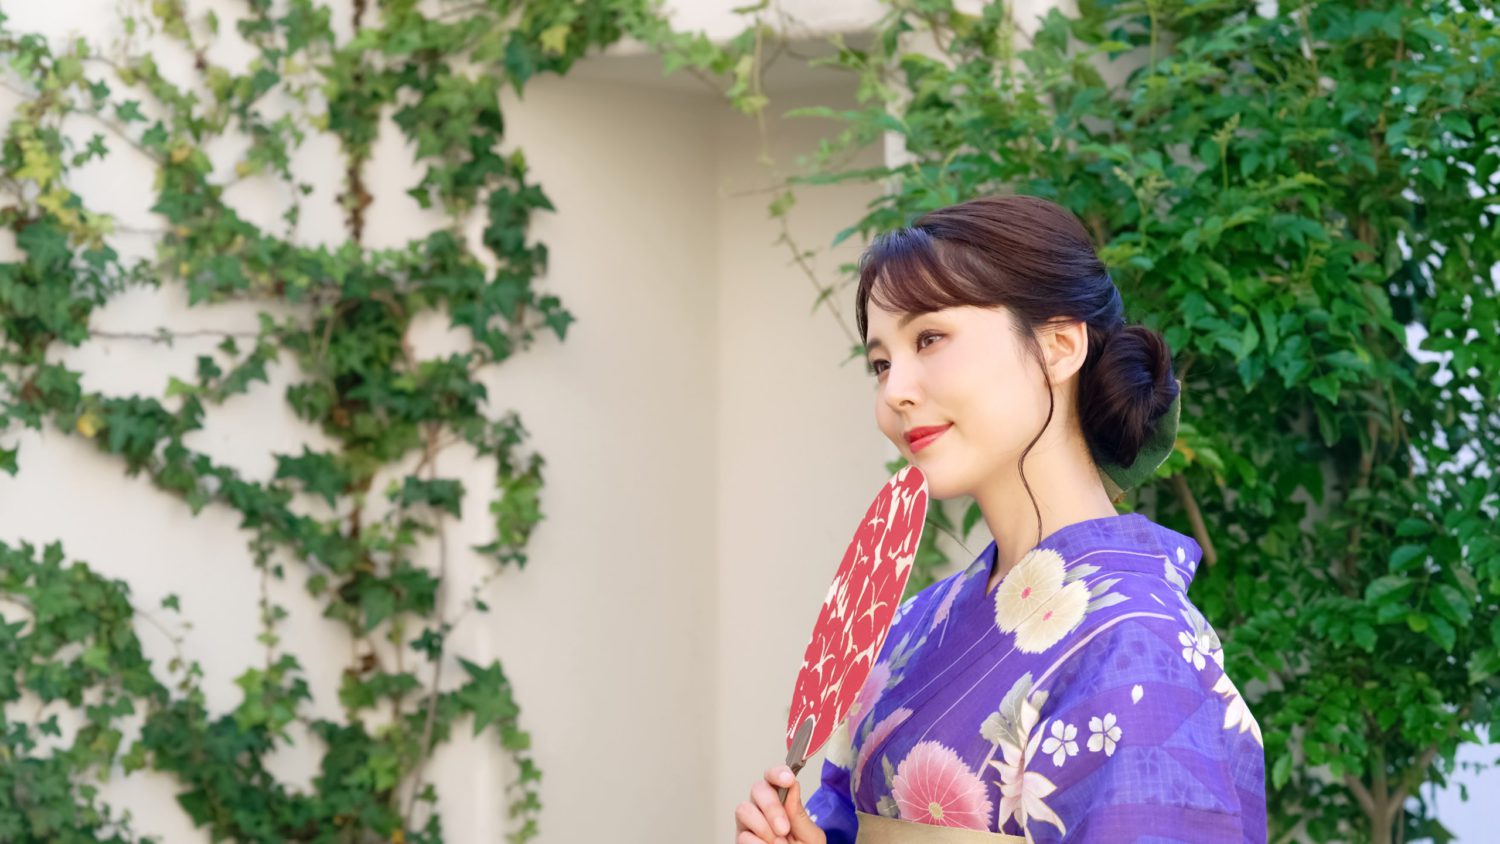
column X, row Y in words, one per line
column 608, row 633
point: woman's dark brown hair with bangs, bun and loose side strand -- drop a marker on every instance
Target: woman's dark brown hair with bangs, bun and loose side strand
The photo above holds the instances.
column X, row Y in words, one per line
column 1034, row 259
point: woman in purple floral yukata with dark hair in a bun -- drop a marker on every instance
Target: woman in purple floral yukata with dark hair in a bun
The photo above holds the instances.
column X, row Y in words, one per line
column 1063, row 687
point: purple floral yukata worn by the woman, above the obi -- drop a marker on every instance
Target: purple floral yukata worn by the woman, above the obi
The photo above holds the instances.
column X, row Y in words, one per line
column 1082, row 701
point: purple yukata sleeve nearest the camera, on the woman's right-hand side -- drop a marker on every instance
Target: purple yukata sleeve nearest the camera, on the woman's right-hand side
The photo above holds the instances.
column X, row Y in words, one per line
column 1145, row 738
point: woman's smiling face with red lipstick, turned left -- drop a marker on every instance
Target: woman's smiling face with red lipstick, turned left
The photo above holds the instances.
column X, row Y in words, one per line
column 962, row 368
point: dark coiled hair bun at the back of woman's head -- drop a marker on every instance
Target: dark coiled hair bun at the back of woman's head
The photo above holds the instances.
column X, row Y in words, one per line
column 1124, row 394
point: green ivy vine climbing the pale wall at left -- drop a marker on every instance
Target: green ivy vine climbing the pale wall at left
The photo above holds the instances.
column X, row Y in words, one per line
column 341, row 316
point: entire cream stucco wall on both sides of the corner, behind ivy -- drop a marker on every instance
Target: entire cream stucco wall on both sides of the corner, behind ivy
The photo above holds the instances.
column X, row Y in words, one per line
column 694, row 368
